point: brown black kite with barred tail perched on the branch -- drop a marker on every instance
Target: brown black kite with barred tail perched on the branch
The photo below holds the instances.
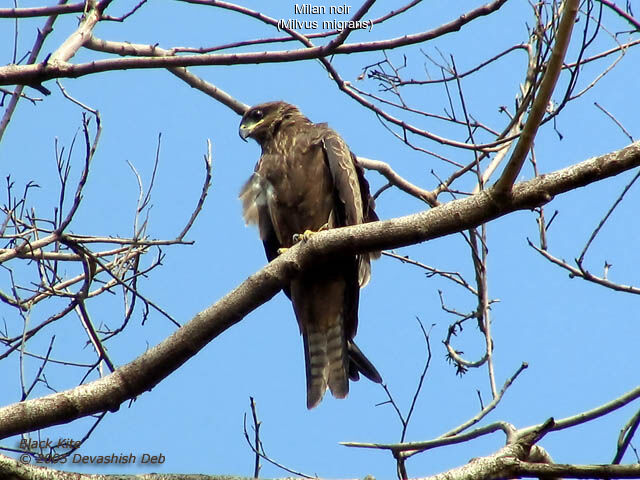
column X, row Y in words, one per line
column 307, row 179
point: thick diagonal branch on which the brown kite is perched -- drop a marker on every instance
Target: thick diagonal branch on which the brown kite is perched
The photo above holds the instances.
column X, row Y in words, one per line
column 153, row 366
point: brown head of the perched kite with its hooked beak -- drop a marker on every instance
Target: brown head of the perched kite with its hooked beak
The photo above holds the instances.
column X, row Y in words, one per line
column 262, row 121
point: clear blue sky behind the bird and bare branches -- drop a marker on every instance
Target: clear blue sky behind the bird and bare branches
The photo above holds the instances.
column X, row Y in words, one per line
column 580, row 340
